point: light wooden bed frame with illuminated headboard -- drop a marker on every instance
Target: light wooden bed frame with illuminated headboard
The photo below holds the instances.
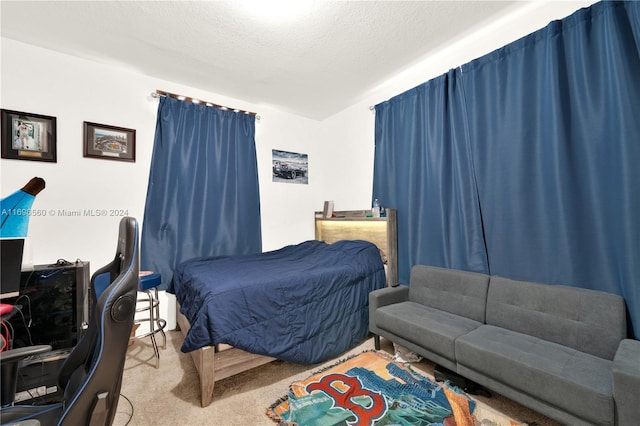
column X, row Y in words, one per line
column 217, row 363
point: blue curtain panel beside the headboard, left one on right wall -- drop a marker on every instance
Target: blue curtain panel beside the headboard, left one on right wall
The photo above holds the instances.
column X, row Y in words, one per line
column 422, row 167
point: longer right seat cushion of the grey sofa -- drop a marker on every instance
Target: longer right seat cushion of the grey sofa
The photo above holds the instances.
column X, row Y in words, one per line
column 573, row 381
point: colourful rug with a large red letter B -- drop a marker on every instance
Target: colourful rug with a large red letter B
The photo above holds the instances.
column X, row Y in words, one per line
column 372, row 389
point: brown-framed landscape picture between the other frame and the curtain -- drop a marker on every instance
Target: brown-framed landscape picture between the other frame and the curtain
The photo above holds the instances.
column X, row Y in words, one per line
column 109, row 142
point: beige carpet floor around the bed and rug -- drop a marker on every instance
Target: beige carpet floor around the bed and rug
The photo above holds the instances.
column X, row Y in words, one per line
column 170, row 395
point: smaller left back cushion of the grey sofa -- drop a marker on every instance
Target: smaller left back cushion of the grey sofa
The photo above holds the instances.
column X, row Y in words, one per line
column 458, row 292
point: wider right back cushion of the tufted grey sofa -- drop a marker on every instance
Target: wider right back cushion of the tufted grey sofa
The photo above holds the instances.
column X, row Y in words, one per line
column 586, row 320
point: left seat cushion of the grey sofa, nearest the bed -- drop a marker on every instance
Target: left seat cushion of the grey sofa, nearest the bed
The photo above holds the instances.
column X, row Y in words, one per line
column 427, row 327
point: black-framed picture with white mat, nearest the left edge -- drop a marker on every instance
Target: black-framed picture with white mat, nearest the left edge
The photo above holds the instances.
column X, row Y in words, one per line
column 27, row 136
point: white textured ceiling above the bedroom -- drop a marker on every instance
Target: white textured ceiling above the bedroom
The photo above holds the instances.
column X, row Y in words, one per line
column 319, row 60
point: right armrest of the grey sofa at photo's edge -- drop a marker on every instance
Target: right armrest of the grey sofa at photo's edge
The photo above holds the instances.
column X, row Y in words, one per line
column 626, row 382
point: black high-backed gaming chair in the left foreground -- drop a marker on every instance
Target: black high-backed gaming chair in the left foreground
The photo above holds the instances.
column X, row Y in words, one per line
column 91, row 376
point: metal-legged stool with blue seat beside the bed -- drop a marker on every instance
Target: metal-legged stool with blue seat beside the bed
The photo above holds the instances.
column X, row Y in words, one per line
column 149, row 282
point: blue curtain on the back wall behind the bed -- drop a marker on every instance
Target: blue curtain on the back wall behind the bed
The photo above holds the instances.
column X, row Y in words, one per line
column 203, row 196
